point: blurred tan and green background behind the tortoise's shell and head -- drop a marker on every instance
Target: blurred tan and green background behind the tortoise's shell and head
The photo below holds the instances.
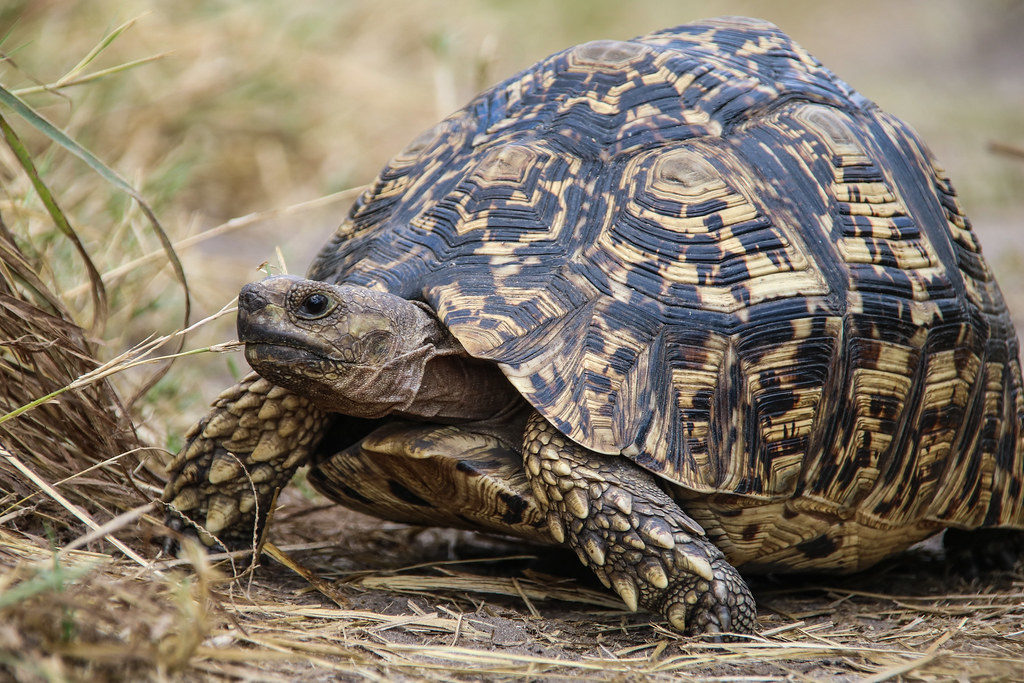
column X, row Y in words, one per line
column 261, row 105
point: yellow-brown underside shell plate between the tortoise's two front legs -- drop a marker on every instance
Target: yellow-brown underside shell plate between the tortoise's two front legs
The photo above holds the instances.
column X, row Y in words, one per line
column 435, row 476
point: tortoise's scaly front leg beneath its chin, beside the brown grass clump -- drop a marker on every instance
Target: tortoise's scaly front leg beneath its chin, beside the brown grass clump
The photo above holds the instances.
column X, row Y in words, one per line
column 222, row 484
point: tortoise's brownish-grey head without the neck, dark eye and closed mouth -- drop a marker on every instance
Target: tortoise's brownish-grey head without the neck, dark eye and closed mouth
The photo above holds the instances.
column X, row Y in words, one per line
column 350, row 350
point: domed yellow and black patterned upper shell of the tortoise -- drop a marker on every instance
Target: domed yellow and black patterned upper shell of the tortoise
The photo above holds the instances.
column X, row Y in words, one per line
column 702, row 250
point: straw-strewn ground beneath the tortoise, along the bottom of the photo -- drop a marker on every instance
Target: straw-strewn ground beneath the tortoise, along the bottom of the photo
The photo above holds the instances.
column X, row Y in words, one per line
column 480, row 615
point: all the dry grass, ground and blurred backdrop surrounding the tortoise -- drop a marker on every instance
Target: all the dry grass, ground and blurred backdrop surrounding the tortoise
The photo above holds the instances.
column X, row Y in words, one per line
column 265, row 106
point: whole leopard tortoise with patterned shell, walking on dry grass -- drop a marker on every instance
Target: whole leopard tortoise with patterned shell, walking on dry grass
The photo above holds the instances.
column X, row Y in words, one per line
column 685, row 304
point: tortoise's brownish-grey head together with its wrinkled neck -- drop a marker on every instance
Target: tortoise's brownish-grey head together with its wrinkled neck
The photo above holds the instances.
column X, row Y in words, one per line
column 371, row 356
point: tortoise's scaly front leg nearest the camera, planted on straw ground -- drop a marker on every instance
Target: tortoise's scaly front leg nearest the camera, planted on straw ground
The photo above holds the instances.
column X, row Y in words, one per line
column 633, row 536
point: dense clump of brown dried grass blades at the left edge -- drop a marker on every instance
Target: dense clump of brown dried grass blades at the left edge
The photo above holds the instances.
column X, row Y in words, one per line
column 81, row 442
